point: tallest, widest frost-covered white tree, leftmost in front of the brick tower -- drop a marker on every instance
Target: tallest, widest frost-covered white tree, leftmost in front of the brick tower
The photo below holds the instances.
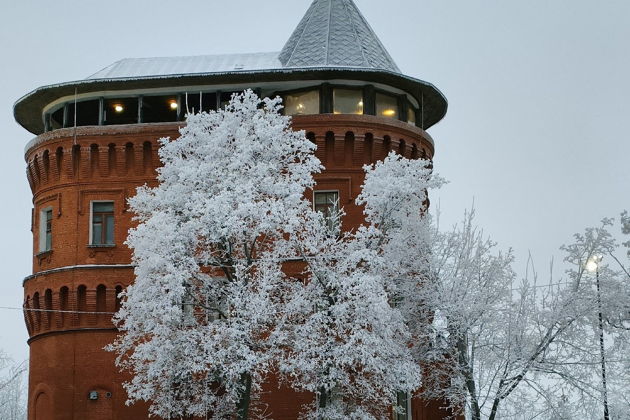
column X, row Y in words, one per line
column 196, row 324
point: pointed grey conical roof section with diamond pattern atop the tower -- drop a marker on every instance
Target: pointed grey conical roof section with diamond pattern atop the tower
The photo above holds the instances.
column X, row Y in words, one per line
column 335, row 33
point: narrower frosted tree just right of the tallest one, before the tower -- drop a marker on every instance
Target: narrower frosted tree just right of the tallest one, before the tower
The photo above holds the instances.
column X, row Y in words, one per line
column 351, row 344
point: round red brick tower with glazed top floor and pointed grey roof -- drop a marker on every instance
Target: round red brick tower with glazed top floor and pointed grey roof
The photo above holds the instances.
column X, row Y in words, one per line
column 96, row 141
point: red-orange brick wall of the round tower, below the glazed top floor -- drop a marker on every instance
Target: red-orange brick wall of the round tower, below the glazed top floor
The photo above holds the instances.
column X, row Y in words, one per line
column 67, row 169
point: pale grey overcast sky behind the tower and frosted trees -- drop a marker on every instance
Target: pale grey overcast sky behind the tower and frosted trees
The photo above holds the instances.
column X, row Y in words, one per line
column 538, row 97
